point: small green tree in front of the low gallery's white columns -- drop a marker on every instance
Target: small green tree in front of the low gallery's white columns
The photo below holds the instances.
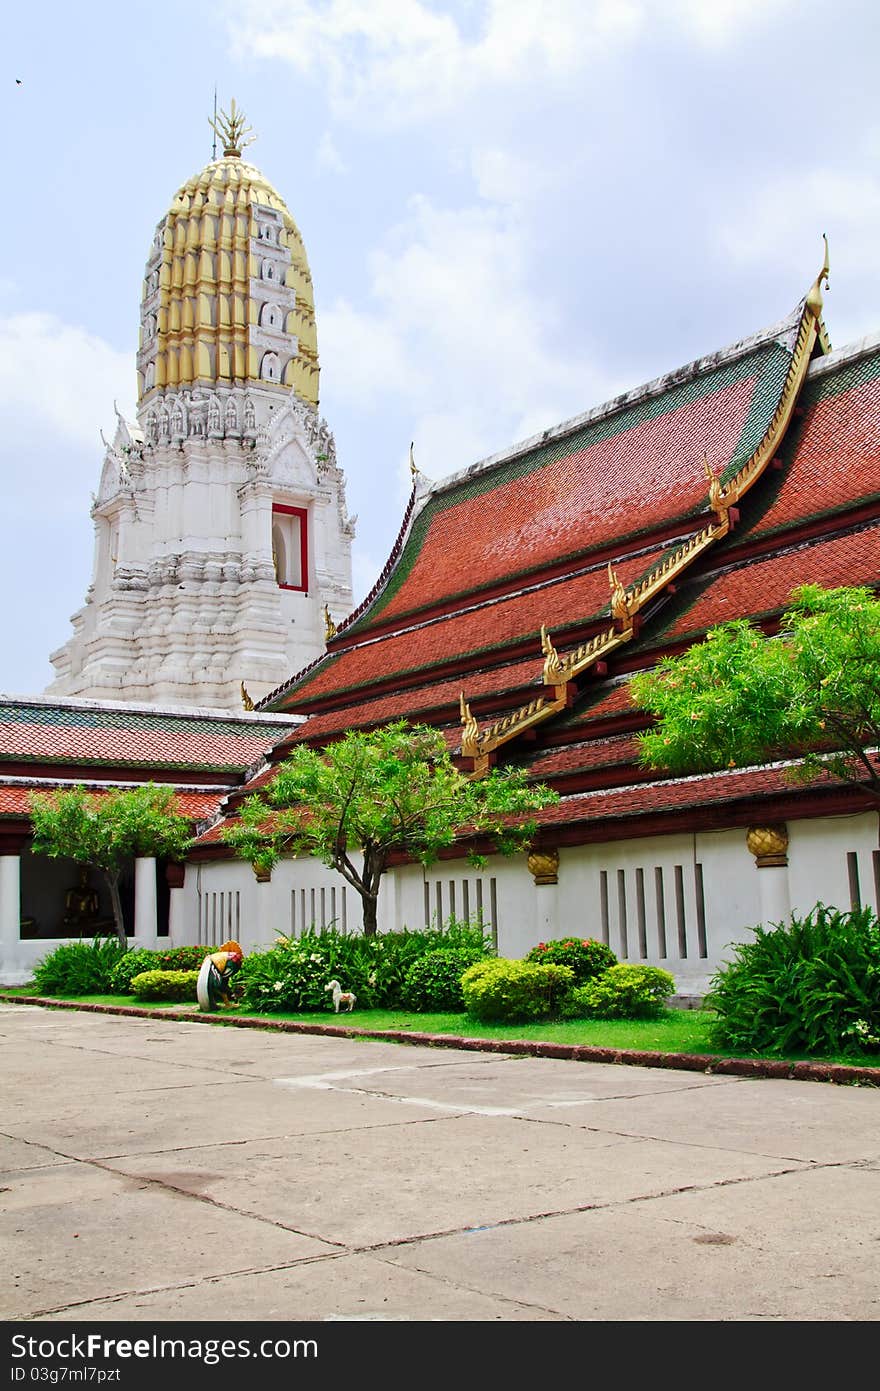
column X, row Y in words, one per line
column 106, row 830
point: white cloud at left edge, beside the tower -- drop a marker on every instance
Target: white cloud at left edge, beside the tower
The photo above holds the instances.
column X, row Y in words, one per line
column 62, row 378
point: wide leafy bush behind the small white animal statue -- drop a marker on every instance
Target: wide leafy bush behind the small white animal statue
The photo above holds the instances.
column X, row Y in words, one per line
column 293, row 974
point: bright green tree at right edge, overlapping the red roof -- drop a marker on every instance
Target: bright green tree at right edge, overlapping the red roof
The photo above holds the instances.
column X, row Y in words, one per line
column 742, row 699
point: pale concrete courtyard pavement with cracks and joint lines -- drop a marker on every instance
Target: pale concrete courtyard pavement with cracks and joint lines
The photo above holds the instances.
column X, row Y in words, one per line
column 158, row 1171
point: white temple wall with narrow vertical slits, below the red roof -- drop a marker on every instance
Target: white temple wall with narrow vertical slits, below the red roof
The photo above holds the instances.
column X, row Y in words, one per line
column 603, row 891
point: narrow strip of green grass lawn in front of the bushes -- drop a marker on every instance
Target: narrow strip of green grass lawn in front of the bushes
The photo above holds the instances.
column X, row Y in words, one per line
column 674, row 1031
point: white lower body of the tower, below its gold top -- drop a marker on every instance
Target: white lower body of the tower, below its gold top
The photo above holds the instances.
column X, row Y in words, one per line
column 186, row 603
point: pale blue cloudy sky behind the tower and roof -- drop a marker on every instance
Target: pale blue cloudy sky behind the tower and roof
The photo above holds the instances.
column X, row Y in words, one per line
column 512, row 211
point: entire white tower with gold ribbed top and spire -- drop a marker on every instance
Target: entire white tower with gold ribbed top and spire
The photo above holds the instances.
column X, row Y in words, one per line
column 222, row 535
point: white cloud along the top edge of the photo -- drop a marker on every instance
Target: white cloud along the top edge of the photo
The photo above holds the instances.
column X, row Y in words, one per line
column 404, row 61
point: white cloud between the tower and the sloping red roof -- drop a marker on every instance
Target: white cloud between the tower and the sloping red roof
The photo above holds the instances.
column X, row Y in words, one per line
column 457, row 330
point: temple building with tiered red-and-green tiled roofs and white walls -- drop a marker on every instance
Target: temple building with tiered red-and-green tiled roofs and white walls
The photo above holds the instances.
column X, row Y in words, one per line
column 519, row 599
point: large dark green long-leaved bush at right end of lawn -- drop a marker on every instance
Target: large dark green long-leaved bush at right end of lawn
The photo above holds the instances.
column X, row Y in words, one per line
column 807, row 986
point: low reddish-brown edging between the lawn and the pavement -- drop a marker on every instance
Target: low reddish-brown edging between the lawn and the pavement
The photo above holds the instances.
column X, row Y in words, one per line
column 840, row 1073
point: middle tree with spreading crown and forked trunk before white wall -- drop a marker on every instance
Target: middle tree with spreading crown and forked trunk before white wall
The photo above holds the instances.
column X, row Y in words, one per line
column 394, row 791
